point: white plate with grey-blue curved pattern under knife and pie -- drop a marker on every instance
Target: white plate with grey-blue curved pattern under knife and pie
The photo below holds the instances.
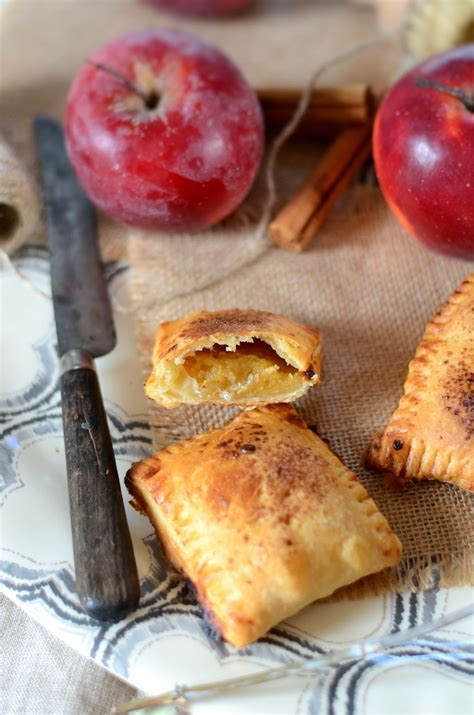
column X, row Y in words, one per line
column 166, row 641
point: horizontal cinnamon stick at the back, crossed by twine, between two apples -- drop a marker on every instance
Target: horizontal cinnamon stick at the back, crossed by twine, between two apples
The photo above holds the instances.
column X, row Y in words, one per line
column 329, row 107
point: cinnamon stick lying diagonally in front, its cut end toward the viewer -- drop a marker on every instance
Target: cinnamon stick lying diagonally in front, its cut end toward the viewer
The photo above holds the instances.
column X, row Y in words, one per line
column 298, row 222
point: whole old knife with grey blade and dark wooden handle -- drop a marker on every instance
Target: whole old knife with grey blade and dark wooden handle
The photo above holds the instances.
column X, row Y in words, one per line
column 106, row 573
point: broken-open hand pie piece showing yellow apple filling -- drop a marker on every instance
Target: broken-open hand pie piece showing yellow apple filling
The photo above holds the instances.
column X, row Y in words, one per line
column 233, row 357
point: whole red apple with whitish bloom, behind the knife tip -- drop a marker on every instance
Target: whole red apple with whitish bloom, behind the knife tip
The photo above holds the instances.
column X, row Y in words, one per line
column 179, row 149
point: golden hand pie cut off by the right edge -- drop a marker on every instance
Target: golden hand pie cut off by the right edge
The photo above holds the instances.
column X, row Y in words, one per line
column 431, row 433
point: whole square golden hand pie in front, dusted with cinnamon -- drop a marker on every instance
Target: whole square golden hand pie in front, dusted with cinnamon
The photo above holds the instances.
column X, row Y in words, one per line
column 263, row 519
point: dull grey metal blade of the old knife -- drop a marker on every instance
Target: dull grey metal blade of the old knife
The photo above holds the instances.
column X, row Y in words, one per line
column 83, row 317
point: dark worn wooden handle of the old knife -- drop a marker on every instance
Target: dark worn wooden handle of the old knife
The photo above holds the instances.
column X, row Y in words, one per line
column 106, row 573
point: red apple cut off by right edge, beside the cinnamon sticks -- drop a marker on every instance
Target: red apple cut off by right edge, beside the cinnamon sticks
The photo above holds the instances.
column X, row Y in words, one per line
column 424, row 151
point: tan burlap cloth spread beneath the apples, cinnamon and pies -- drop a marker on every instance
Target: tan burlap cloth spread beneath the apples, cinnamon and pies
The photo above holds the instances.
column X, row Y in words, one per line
column 364, row 283
